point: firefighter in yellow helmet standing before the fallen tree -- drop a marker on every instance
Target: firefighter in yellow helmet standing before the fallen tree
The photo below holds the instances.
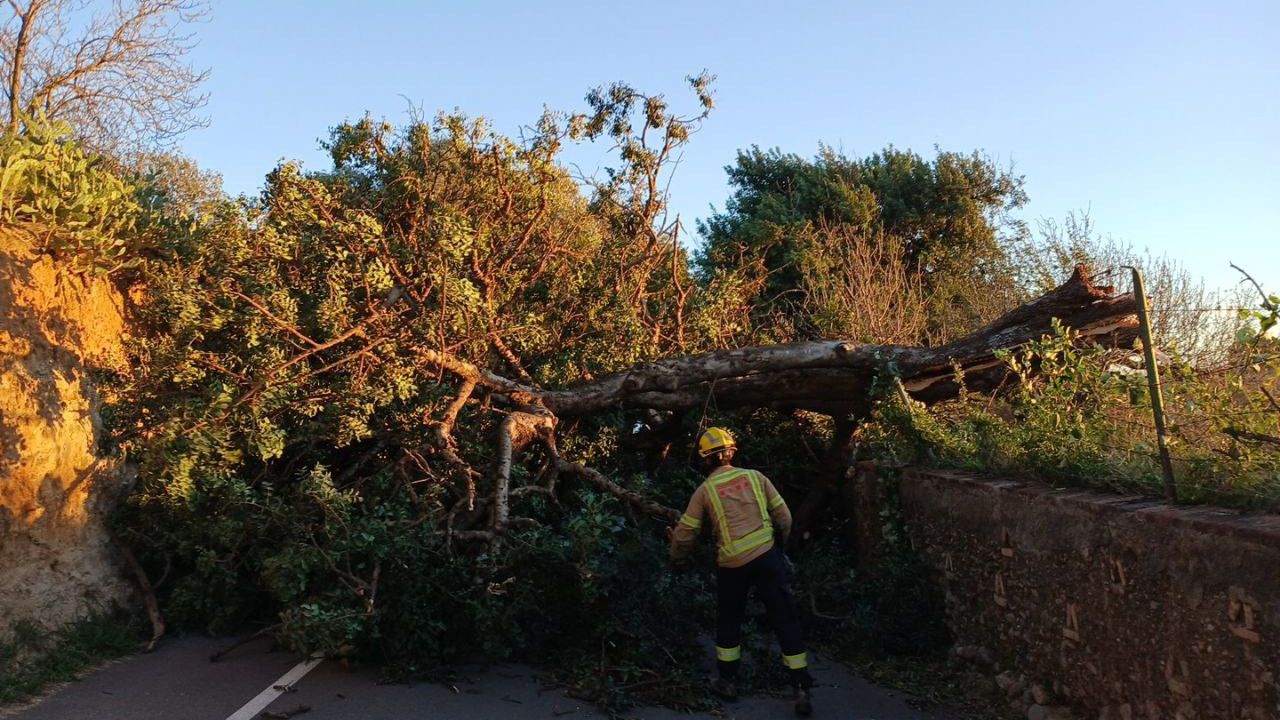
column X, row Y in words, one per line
column 743, row 508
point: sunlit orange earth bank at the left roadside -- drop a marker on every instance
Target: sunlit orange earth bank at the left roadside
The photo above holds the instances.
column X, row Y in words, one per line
column 56, row 558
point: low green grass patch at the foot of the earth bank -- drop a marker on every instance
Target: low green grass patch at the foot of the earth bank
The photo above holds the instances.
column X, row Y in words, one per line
column 33, row 658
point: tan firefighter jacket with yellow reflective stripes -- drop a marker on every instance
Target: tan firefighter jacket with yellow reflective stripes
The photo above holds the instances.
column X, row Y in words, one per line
column 742, row 507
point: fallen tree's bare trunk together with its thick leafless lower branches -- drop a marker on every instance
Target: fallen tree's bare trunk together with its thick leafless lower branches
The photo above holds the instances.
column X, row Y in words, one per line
column 831, row 377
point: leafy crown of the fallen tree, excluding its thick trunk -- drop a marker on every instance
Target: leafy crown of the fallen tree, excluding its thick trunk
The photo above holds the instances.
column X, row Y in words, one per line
column 285, row 421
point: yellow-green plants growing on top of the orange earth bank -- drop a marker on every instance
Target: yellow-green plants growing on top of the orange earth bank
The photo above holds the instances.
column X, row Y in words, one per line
column 67, row 199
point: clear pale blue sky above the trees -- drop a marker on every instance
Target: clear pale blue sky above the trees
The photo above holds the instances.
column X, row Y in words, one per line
column 1162, row 119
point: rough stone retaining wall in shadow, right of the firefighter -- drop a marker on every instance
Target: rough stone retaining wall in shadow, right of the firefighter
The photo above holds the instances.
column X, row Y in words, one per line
column 1128, row 608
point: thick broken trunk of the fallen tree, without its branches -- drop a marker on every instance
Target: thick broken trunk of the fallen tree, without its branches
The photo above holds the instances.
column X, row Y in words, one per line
column 834, row 377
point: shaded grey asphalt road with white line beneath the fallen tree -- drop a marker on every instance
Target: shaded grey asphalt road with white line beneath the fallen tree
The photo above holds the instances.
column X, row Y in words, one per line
column 177, row 682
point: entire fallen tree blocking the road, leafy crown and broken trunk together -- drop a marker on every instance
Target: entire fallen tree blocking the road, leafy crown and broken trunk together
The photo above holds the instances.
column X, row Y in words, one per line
column 395, row 407
